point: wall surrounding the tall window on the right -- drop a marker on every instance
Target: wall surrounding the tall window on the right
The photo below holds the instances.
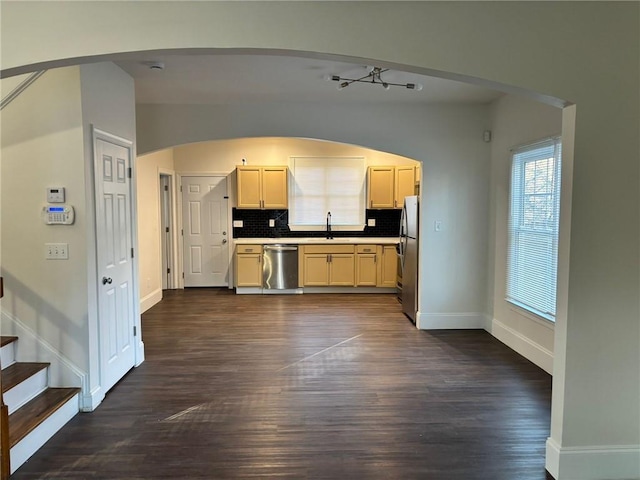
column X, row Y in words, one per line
column 516, row 121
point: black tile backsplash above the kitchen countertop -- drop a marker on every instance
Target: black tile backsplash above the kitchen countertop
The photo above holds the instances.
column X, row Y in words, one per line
column 256, row 225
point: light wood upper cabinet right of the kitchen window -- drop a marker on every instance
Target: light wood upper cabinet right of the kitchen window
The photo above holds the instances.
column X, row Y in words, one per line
column 389, row 185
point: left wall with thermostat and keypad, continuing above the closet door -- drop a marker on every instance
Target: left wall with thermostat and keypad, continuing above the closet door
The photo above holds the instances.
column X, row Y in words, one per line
column 46, row 141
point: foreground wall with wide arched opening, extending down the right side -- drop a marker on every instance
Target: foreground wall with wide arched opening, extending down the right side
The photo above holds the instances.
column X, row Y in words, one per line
column 587, row 53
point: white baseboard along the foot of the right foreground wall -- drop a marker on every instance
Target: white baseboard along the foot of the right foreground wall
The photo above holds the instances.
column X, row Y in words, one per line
column 620, row 462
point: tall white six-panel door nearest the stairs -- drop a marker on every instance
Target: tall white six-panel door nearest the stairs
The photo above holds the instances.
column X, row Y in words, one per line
column 115, row 267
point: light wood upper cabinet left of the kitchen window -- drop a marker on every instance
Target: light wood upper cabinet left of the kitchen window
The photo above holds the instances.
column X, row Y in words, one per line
column 262, row 187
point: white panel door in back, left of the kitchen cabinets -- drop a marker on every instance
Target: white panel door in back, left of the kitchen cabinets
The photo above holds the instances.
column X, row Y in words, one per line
column 205, row 236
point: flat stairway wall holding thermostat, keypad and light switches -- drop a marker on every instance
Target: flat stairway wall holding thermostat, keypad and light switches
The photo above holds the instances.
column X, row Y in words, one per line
column 42, row 146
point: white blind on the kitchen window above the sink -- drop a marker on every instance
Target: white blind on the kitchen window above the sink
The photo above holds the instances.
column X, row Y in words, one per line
column 327, row 184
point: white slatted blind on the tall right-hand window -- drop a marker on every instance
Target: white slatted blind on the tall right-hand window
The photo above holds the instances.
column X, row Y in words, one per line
column 533, row 227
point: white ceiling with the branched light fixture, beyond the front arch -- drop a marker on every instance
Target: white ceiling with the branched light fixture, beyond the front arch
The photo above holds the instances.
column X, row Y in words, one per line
column 234, row 79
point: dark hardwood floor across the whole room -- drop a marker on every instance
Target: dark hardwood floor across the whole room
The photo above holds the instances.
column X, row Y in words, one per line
column 308, row 387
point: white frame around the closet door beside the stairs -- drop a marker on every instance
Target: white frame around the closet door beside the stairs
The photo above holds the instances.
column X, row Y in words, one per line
column 90, row 400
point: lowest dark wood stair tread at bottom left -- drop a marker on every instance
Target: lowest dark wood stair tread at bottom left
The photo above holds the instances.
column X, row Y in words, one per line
column 24, row 420
